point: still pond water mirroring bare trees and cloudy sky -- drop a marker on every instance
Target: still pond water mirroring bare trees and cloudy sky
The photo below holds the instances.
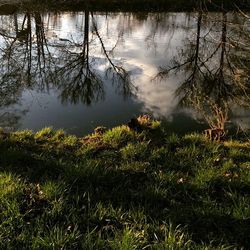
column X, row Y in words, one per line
column 78, row 70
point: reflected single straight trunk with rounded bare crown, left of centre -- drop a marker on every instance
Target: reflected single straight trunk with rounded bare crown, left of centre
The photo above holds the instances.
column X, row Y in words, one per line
column 80, row 83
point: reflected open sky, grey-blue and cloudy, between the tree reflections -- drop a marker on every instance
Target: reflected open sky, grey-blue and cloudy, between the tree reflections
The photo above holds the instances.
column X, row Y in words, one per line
column 140, row 46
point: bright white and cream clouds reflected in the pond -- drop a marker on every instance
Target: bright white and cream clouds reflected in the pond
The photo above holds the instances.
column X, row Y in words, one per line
column 139, row 60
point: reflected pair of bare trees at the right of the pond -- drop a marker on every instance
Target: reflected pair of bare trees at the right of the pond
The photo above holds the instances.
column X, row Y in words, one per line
column 215, row 75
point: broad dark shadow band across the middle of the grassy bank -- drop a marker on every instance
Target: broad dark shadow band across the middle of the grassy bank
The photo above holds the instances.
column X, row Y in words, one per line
column 96, row 190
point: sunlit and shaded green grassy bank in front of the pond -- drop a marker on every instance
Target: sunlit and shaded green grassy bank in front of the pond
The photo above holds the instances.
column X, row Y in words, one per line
column 123, row 189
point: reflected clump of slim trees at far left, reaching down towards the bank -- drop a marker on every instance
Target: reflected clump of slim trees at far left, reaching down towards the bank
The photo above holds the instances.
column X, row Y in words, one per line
column 25, row 63
